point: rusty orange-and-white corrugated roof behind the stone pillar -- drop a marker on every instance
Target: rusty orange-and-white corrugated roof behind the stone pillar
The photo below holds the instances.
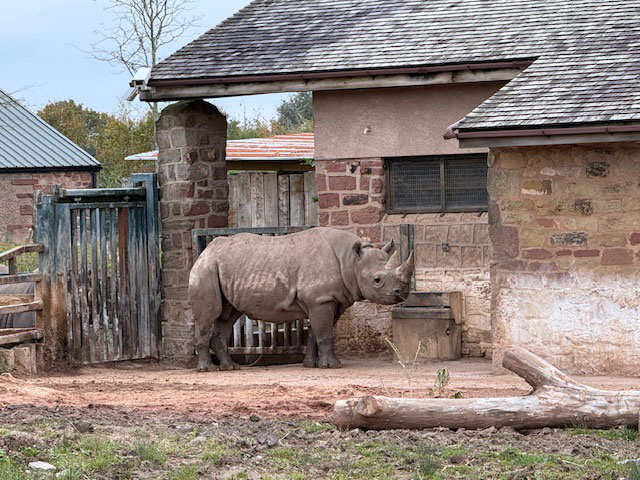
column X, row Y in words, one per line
column 297, row 146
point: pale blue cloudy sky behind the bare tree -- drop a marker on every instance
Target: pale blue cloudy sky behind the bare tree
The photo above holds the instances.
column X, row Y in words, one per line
column 43, row 57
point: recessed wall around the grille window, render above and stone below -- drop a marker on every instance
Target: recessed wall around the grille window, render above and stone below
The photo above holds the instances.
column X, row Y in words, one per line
column 351, row 189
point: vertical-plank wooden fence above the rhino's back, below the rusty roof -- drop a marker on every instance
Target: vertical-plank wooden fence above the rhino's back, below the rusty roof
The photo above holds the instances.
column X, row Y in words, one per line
column 266, row 199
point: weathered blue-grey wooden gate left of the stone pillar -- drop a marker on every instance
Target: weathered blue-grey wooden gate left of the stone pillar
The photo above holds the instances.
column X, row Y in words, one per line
column 106, row 251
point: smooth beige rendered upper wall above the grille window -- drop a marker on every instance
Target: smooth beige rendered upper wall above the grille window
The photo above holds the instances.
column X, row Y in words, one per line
column 398, row 121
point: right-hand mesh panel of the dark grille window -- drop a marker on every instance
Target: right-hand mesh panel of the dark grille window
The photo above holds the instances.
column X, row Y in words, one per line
column 465, row 183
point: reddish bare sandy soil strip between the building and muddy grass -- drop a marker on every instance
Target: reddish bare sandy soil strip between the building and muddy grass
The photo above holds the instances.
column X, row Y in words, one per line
column 274, row 391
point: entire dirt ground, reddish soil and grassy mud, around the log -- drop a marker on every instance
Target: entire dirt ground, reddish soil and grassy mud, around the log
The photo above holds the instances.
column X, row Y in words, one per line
column 145, row 420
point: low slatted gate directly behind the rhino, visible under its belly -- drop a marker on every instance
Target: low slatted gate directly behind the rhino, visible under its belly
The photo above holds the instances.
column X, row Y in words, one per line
column 252, row 337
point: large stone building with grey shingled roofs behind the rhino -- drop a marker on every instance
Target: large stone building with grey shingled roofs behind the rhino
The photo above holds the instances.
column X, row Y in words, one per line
column 421, row 109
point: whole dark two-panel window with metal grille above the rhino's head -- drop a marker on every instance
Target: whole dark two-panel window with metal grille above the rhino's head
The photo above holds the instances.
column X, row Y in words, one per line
column 437, row 183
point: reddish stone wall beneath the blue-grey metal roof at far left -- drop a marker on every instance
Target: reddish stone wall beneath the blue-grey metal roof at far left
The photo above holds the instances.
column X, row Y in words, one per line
column 18, row 193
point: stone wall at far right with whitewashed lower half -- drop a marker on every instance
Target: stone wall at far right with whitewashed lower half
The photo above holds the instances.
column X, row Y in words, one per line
column 565, row 230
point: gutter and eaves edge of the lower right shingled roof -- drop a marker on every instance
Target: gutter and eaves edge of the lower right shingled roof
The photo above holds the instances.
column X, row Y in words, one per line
column 544, row 136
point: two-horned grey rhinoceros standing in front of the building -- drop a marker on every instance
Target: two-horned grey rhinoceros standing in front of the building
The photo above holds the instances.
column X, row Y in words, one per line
column 315, row 274
